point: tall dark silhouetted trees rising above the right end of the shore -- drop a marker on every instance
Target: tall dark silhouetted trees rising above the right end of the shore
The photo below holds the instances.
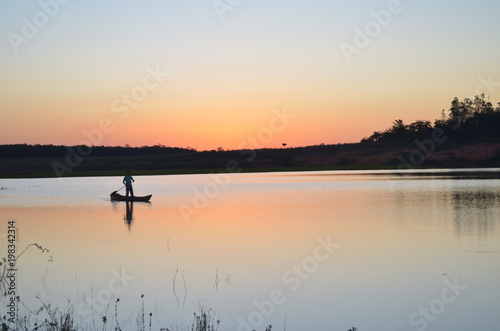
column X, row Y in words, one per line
column 467, row 120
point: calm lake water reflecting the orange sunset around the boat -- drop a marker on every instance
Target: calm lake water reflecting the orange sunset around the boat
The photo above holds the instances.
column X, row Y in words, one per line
column 321, row 250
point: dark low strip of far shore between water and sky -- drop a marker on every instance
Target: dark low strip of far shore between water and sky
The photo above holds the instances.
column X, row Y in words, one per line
column 167, row 161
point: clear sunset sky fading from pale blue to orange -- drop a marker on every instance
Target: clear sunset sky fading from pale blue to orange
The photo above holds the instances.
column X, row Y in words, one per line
column 237, row 73
